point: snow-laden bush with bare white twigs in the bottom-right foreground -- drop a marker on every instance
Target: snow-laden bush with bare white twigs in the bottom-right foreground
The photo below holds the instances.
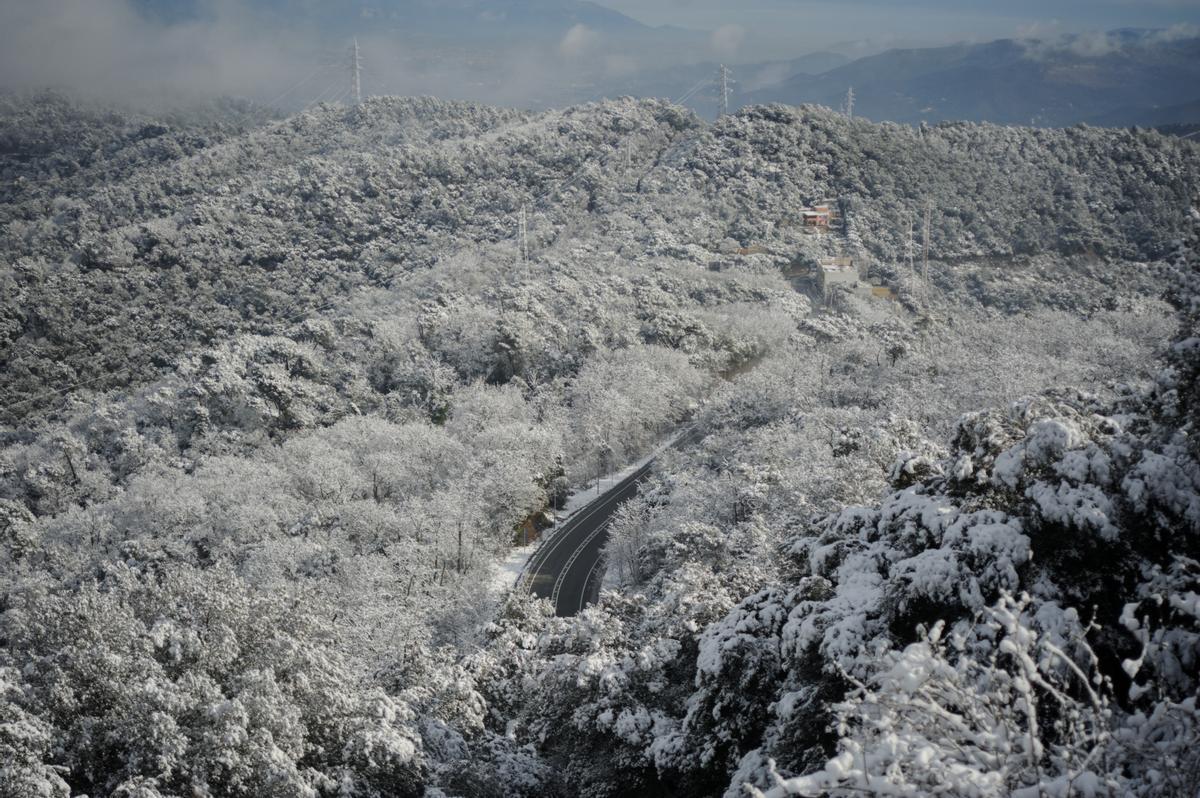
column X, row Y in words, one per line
column 992, row 707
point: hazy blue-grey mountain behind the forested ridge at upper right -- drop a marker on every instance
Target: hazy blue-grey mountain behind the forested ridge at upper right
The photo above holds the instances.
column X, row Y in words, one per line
column 1120, row 76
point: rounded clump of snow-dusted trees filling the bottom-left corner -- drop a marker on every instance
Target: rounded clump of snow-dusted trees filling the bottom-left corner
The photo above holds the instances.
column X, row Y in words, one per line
column 163, row 680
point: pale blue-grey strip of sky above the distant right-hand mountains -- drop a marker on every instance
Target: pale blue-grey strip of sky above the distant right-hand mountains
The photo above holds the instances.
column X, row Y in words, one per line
column 808, row 26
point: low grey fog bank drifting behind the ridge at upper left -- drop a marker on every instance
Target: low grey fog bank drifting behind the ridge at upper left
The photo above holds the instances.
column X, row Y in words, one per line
column 109, row 51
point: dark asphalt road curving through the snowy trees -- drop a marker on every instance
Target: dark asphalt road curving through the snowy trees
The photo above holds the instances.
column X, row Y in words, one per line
column 567, row 568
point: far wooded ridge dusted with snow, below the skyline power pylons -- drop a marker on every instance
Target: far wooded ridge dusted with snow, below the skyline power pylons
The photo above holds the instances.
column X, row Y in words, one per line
column 205, row 232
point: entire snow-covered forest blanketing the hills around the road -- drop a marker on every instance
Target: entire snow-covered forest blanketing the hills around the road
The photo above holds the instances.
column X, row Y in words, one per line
column 280, row 395
